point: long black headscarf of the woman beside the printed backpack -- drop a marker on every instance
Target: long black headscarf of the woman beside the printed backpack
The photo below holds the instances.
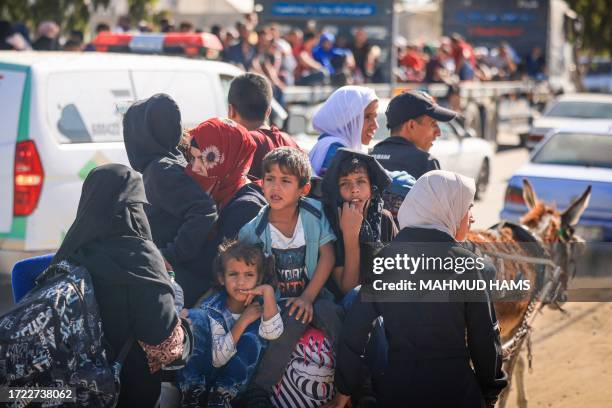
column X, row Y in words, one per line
column 110, row 235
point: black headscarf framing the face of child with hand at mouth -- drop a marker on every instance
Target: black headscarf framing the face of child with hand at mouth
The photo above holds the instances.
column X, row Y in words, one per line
column 379, row 180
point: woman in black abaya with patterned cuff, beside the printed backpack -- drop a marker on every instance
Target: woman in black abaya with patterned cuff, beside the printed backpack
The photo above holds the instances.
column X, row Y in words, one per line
column 111, row 237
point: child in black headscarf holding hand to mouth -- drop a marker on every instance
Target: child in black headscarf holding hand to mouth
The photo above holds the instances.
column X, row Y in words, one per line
column 352, row 189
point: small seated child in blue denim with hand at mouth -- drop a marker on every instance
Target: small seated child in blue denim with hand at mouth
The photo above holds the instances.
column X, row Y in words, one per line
column 230, row 328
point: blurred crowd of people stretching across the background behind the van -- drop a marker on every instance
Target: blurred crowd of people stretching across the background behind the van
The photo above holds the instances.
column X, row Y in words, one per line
column 311, row 56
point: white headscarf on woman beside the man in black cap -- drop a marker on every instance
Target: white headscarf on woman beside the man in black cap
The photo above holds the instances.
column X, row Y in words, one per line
column 341, row 119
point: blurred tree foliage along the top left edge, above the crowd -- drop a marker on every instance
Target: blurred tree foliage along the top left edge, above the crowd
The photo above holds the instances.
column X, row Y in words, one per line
column 69, row 14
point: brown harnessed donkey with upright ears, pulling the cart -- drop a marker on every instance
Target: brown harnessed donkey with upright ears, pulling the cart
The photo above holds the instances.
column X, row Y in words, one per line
column 552, row 232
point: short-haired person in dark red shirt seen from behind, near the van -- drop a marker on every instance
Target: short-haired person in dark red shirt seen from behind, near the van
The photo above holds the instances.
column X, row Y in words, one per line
column 250, row 98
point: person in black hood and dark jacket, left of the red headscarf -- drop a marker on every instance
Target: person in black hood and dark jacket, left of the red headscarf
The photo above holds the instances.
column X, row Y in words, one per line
column 181, row 214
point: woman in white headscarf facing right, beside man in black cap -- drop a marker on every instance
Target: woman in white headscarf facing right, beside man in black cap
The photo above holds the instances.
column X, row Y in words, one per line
column 346, row 119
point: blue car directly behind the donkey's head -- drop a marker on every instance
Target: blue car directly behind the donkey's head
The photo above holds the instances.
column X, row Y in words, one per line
column 560, row 169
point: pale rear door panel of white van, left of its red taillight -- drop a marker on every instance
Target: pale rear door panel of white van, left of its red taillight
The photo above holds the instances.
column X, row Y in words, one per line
column 11, row 94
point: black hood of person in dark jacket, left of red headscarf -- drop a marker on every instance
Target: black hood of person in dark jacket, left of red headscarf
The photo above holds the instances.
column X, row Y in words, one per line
column 151, row 131
